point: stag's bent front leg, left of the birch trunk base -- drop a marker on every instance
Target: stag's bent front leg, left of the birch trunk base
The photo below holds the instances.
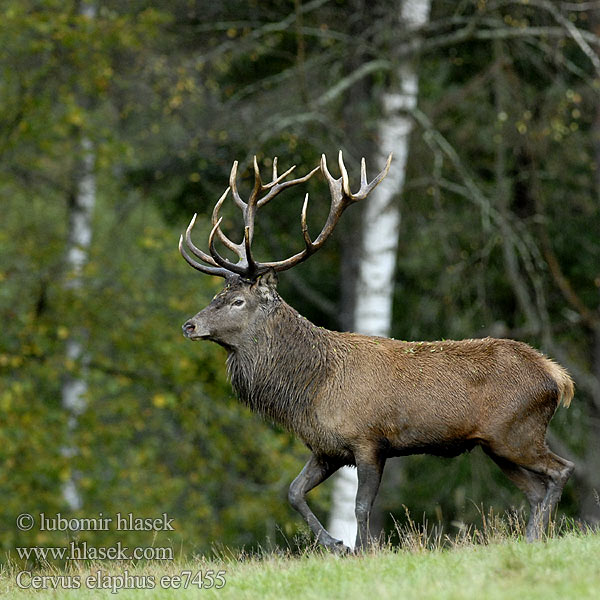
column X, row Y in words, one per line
column 315, row 471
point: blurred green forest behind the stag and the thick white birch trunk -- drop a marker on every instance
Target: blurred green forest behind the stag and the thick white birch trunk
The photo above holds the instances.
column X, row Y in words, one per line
column 122, row 119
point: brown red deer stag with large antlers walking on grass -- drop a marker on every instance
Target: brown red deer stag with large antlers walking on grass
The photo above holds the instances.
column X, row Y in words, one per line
column 358, row 400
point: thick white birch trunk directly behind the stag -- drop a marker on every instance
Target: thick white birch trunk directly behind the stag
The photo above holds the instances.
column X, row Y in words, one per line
column 381, row 222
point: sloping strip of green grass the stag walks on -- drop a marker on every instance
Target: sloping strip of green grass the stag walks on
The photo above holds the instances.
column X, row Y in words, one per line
column 492, row 563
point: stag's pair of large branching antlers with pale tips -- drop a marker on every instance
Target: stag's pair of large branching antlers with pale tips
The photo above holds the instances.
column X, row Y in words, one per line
column 341, row 198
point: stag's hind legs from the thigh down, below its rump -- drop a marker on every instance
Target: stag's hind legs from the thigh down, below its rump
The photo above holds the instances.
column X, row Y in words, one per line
column 541, row 477
